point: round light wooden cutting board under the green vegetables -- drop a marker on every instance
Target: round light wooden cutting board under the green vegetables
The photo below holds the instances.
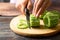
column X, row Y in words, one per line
column 33, row 31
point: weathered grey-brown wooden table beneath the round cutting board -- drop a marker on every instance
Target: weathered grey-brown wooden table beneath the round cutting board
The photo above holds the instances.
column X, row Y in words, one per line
column 7, row 34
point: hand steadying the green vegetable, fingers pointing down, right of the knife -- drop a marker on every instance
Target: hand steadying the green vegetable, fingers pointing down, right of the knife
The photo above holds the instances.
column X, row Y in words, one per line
column 40, row 6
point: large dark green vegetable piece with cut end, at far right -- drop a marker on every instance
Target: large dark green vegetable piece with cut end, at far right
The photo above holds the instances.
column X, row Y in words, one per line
column 50, row 19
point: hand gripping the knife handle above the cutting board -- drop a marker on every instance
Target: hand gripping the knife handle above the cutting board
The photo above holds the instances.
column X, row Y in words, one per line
column 21, row 4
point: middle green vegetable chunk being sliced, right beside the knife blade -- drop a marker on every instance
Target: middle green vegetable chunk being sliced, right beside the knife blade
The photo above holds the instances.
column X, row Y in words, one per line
column 34, row 22
